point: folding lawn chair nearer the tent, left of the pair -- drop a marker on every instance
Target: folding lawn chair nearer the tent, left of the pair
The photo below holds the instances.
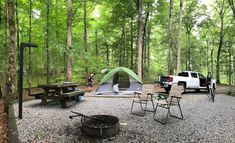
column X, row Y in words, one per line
column 143, row 99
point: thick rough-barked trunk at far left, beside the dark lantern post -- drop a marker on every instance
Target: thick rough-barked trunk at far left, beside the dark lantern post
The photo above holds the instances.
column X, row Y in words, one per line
column 11, row 71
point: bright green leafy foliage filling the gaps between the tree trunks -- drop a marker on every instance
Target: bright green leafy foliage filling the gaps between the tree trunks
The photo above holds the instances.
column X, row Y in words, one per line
column 109, row 38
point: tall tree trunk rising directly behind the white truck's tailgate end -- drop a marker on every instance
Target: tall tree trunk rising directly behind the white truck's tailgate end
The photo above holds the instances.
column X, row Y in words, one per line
column 170, row 36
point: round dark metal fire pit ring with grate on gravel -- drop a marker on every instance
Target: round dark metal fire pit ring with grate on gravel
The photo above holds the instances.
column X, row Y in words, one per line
column 102, row 126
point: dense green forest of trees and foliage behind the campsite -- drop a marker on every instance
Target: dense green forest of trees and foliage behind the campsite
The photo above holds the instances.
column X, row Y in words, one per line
column 151, row 37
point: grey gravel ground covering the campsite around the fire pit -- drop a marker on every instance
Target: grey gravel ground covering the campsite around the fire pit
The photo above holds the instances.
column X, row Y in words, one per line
column 204, row 121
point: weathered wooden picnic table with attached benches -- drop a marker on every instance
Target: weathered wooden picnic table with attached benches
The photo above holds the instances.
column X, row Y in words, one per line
column 62, row 91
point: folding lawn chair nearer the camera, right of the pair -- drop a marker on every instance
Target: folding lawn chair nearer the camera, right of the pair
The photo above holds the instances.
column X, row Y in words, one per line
column 166, row 101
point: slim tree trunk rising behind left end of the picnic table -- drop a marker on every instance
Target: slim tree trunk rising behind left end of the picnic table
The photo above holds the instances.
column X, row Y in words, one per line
column 47, row 41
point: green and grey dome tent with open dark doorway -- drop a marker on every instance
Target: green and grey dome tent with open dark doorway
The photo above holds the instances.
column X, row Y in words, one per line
column 120, row 80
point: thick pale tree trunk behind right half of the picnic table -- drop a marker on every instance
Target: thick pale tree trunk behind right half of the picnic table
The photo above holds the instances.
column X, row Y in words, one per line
column 69, row 42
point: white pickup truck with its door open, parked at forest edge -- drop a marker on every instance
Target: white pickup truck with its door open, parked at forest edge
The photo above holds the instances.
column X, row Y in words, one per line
column 189, row 80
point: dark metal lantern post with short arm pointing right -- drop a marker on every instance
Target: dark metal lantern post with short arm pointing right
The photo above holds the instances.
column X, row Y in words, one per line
column 20, row 79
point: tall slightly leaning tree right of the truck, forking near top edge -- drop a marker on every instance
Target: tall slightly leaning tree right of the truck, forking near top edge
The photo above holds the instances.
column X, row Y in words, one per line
column 221, row 11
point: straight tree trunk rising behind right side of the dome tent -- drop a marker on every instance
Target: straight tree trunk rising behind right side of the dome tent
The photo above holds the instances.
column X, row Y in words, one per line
column 139, row 6
